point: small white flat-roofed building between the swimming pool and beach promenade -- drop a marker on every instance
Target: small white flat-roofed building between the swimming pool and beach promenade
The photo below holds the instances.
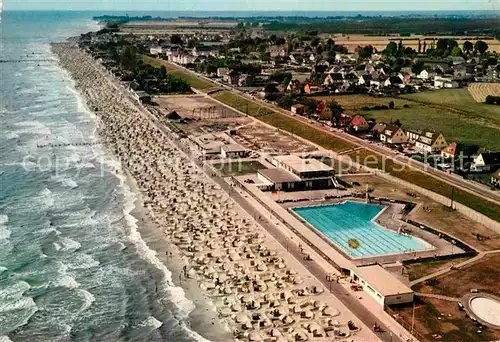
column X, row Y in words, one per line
column 381, row 285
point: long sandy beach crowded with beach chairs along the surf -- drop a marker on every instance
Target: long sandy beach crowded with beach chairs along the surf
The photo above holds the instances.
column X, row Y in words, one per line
column 244, row 284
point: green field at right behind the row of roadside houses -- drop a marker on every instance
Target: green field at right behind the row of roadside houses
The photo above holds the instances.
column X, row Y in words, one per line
column 452, row 112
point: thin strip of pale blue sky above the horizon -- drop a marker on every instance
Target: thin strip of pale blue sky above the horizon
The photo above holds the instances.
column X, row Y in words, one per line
column 256, row 5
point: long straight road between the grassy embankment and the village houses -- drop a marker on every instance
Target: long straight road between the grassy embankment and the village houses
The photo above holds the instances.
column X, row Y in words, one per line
column 452, row 179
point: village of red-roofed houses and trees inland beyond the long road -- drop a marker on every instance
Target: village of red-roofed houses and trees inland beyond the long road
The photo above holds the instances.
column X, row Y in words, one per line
column 306, row 74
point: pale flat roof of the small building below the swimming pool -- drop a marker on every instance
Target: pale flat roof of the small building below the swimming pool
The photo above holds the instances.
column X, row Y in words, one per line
column 381, row 280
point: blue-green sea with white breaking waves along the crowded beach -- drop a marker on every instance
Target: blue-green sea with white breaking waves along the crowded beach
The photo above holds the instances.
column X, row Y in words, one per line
column 73, row 265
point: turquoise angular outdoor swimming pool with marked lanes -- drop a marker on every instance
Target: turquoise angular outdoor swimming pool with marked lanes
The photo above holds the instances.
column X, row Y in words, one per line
column 348, row 222
